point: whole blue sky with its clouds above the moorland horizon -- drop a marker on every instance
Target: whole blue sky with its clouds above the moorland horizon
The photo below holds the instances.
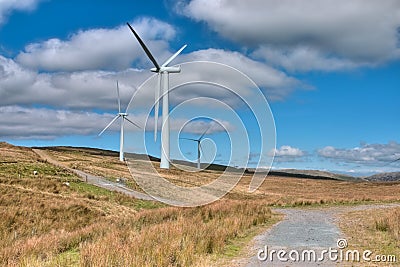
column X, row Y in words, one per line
column 329, row 69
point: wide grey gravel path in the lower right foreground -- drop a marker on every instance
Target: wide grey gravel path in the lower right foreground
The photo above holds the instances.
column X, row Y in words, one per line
column 302, row 229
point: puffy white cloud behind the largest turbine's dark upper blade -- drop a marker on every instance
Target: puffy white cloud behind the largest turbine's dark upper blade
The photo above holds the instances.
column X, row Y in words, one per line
column 107, row 49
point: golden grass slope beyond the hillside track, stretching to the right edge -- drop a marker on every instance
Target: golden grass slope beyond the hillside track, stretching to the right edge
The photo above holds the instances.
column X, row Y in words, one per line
column 274, row 191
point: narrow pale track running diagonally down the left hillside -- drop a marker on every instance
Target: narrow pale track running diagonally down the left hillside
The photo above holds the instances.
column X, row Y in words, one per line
column 95, row 180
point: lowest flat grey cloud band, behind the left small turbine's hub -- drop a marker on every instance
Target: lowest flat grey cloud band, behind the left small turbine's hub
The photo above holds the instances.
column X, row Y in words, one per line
column 43, row 123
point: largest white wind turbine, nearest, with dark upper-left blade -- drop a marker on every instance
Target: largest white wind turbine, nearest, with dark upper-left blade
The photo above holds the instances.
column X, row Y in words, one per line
column 163, row 72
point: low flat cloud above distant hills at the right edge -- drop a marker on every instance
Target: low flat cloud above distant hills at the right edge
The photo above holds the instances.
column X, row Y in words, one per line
column 365, row 153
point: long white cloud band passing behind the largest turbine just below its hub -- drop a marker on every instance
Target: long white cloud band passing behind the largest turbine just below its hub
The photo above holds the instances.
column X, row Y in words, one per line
column 95, row 89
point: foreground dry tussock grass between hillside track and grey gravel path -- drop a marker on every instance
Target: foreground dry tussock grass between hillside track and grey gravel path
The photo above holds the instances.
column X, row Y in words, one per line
column 45, row 223
